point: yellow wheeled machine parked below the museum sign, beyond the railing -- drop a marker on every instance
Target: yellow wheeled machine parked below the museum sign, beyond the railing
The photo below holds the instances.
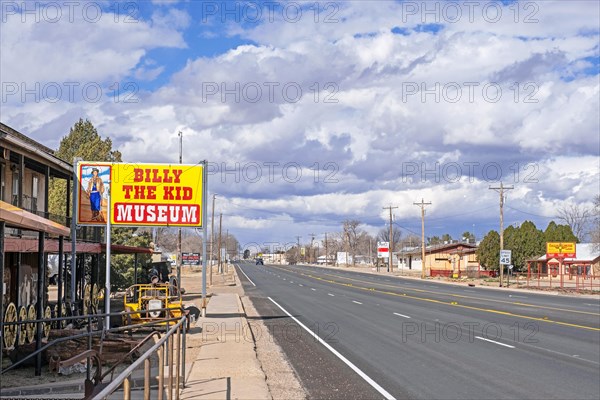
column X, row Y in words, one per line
column 147, row 300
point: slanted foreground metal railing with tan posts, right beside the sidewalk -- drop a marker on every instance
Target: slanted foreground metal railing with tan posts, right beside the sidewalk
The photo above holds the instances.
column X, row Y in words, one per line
column 173, row 343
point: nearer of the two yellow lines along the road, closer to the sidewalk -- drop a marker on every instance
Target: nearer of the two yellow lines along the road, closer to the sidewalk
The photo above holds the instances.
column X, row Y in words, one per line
column 455, row 304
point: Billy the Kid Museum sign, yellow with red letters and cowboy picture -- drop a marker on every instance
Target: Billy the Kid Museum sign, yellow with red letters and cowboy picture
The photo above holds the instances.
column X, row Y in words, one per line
column 141, row 194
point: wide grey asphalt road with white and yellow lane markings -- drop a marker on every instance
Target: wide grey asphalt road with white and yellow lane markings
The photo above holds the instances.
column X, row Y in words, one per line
column 406, row 338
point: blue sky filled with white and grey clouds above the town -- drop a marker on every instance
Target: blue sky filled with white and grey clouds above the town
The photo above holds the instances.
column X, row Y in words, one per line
column 310, row 113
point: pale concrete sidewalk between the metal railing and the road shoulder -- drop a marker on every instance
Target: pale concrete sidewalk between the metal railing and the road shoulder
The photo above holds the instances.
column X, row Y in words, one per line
column 226, row 366
